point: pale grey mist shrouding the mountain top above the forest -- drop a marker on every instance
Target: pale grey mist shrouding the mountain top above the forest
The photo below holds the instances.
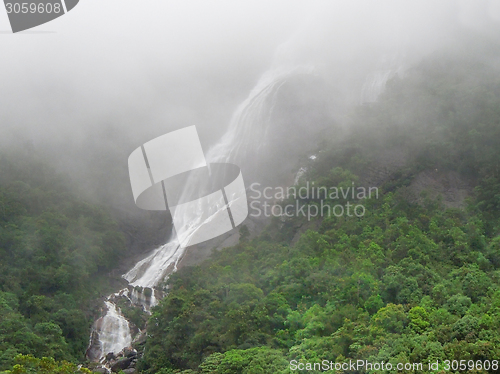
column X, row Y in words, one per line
column 86, row 89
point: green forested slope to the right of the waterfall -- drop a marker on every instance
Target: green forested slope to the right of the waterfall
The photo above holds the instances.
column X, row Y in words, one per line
column 407, row 282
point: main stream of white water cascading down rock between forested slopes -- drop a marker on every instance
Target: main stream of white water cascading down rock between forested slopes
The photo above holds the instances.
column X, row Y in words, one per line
column 113, row 330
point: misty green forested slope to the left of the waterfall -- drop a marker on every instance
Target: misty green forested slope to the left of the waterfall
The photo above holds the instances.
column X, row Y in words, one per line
column 54, row 249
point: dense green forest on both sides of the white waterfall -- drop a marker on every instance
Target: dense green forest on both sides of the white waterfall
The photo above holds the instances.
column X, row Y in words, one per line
column 414, row 280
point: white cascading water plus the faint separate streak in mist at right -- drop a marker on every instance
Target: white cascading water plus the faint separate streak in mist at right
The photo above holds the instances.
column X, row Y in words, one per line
column 246, row 134
